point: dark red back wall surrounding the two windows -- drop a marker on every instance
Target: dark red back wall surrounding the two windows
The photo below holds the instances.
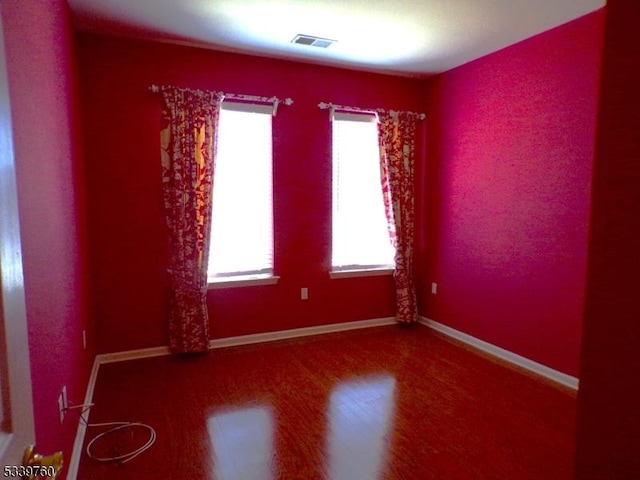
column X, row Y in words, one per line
column 127, row 227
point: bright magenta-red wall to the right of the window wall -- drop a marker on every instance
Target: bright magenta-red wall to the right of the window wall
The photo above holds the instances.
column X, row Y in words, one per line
column 509, row 163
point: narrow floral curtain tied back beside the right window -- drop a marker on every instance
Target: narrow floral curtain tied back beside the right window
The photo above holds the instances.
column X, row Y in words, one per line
column 396, row 135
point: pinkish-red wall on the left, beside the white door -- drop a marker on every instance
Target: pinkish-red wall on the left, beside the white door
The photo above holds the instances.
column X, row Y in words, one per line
column 39, row 51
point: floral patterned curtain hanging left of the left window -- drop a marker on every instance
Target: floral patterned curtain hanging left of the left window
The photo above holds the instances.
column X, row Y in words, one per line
column 188, row 133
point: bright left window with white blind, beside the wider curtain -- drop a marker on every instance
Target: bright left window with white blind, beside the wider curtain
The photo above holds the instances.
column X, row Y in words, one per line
column 242, row 218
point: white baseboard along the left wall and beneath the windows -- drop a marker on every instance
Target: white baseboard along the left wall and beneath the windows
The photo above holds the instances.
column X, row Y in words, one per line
column 76, row 453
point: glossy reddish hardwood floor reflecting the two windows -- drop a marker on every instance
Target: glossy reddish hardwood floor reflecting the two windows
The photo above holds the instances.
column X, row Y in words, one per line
column 383, row 403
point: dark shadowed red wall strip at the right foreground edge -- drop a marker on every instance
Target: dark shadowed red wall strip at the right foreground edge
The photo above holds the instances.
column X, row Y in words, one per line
column 608, row 438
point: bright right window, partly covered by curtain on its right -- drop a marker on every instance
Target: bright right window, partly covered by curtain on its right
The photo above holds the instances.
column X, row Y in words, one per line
column 360, row 237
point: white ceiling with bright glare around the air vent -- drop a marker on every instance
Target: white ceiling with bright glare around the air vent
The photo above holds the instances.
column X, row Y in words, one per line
column 408, row 37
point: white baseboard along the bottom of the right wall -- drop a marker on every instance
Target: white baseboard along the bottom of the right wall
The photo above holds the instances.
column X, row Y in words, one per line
column 523, row 362
